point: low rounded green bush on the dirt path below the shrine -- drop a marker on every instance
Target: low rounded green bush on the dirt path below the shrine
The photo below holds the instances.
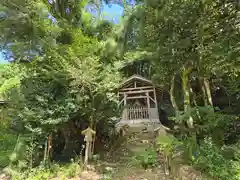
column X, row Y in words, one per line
column 147, row 158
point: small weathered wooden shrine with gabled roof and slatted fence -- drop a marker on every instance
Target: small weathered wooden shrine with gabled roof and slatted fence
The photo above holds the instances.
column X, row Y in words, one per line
column 138, row 97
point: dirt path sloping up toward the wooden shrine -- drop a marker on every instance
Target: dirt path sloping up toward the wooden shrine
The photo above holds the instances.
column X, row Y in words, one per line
column 123, row 167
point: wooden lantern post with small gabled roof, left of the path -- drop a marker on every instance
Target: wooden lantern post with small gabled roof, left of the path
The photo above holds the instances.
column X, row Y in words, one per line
column 88, row 139
